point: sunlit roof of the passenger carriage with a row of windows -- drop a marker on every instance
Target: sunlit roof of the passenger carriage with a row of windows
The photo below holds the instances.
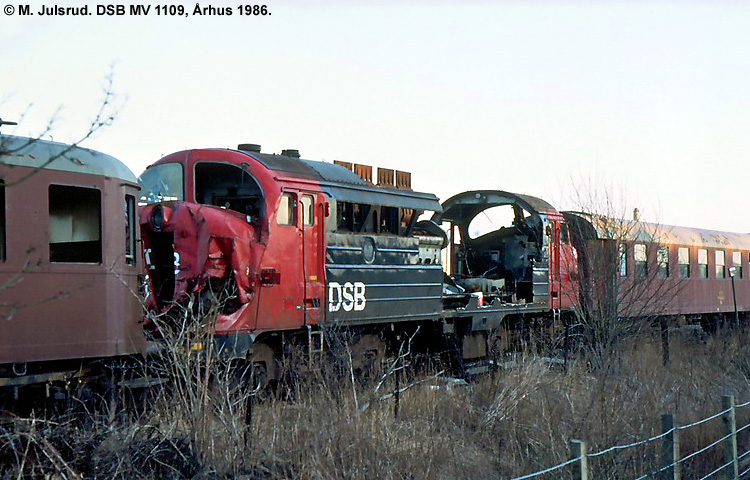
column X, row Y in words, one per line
column 638, row 231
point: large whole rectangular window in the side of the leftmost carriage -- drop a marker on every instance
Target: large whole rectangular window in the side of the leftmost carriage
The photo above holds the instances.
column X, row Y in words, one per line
column 74, row 224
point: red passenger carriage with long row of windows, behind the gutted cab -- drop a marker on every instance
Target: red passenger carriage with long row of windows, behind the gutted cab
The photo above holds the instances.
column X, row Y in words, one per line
column 670, row 270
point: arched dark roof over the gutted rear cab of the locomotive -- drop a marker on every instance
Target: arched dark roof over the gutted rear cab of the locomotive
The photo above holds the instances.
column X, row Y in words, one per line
column 467, row 205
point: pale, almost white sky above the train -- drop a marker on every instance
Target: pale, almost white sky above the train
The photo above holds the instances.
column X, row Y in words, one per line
column 653, row 97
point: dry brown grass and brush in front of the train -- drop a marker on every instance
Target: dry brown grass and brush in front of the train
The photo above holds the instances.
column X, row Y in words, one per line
column 508, row 424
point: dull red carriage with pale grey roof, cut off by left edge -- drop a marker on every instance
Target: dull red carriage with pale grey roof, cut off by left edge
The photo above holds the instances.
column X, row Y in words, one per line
column 68, row 259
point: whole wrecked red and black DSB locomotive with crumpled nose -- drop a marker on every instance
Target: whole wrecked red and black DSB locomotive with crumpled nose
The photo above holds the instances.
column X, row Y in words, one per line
column 306, row 245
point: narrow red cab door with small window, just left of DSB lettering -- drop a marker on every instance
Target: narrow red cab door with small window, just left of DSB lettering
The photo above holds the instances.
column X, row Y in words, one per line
column 312, row 235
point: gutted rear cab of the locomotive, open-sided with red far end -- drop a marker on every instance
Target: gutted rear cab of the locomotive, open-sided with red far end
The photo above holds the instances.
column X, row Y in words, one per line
column 512, row 247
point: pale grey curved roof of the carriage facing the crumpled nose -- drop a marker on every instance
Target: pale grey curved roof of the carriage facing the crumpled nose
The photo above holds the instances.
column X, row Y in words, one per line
column 44, row 154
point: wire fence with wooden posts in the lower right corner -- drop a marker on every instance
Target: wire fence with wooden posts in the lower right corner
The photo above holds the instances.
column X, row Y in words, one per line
column 672, row 459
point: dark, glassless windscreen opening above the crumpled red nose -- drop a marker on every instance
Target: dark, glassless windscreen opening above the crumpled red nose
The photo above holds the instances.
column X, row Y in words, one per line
column 227, row 186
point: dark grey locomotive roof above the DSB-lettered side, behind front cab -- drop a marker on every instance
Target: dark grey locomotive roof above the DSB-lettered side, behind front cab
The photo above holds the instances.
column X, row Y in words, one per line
column 344, row 185
